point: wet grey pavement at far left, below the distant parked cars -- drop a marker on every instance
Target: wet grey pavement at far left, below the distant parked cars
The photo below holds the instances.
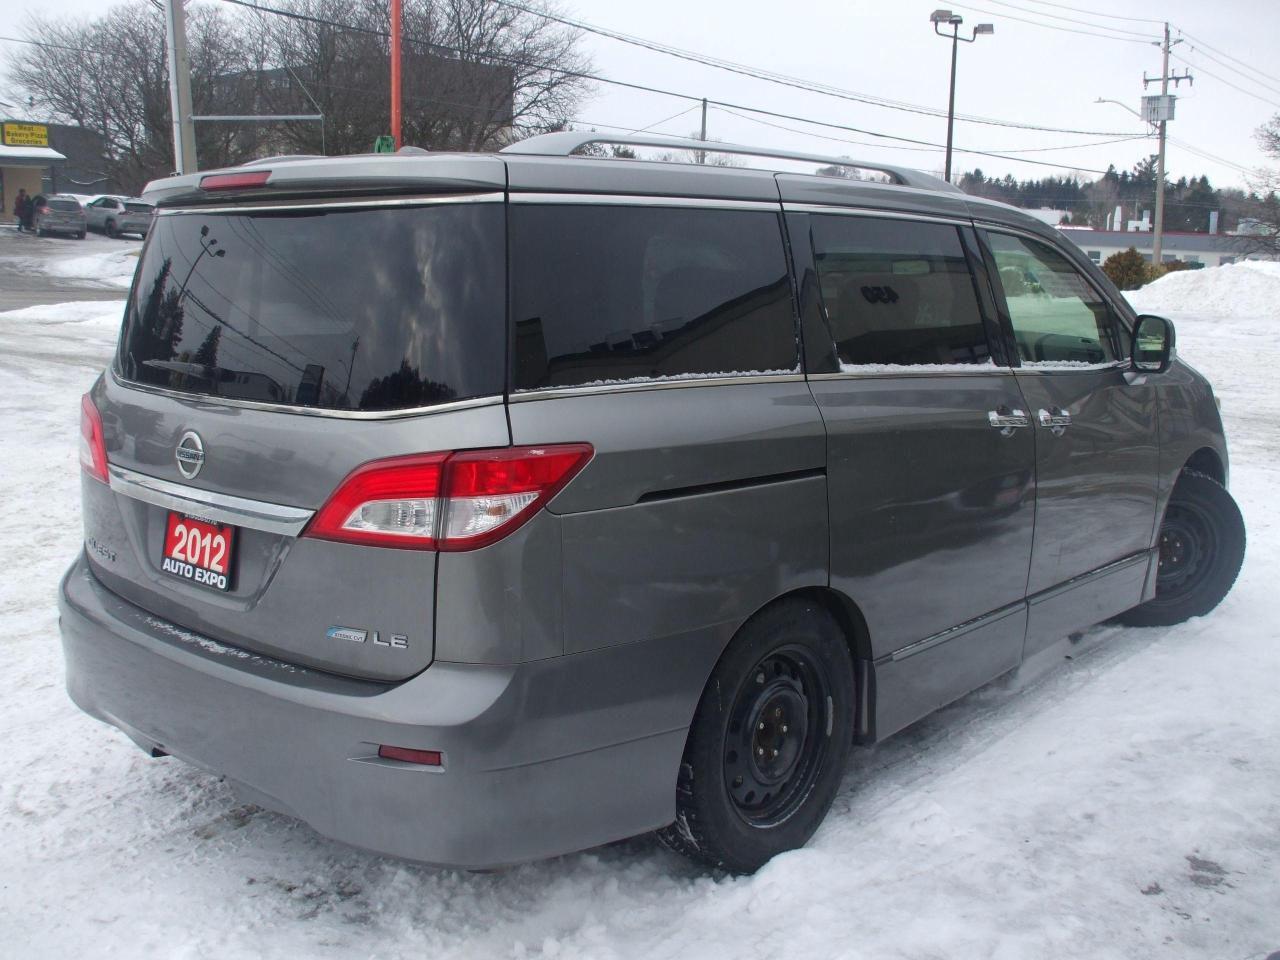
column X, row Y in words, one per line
column 25, row 281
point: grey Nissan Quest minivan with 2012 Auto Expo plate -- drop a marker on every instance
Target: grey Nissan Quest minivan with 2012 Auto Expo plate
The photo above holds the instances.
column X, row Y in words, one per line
column 483, row 509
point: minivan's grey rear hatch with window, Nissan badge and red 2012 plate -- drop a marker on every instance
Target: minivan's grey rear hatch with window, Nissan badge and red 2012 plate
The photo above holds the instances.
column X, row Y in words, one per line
column 268, row 351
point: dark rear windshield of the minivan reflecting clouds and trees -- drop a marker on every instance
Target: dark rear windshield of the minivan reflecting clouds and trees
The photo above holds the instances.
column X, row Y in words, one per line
column 372, row 309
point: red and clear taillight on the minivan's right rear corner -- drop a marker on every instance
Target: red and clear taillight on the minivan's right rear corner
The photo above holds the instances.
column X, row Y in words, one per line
column 447, row 501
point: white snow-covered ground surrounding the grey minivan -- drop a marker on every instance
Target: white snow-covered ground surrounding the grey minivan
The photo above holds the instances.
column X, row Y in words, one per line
column 1118, row 799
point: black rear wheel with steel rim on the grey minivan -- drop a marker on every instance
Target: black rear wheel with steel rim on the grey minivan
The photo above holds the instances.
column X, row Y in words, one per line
column 769, row 744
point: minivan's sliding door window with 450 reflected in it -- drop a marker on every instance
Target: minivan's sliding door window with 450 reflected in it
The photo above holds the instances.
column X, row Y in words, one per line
column 898, row 292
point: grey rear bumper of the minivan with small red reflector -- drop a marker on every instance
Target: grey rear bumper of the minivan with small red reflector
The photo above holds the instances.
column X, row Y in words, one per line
column 536, row 765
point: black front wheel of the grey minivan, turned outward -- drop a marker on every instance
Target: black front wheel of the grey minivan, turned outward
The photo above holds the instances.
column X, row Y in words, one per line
column 1201, row 552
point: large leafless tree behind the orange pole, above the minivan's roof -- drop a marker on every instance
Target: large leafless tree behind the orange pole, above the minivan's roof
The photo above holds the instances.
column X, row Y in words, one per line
column 477, row 75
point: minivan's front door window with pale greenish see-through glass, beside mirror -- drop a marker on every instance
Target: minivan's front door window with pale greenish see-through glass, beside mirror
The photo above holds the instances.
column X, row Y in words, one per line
column 1057, row 314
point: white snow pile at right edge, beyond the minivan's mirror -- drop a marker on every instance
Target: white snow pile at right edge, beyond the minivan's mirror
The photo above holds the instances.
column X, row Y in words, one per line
column 1247, row 289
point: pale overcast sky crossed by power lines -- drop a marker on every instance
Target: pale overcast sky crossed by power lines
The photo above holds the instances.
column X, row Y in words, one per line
column 1026, row 74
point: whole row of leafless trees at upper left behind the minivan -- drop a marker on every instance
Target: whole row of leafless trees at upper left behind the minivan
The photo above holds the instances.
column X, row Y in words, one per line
column 477, row 75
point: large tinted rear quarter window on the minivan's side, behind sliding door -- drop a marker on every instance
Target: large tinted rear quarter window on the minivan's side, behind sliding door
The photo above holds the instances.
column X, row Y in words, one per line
column 605, row 294
